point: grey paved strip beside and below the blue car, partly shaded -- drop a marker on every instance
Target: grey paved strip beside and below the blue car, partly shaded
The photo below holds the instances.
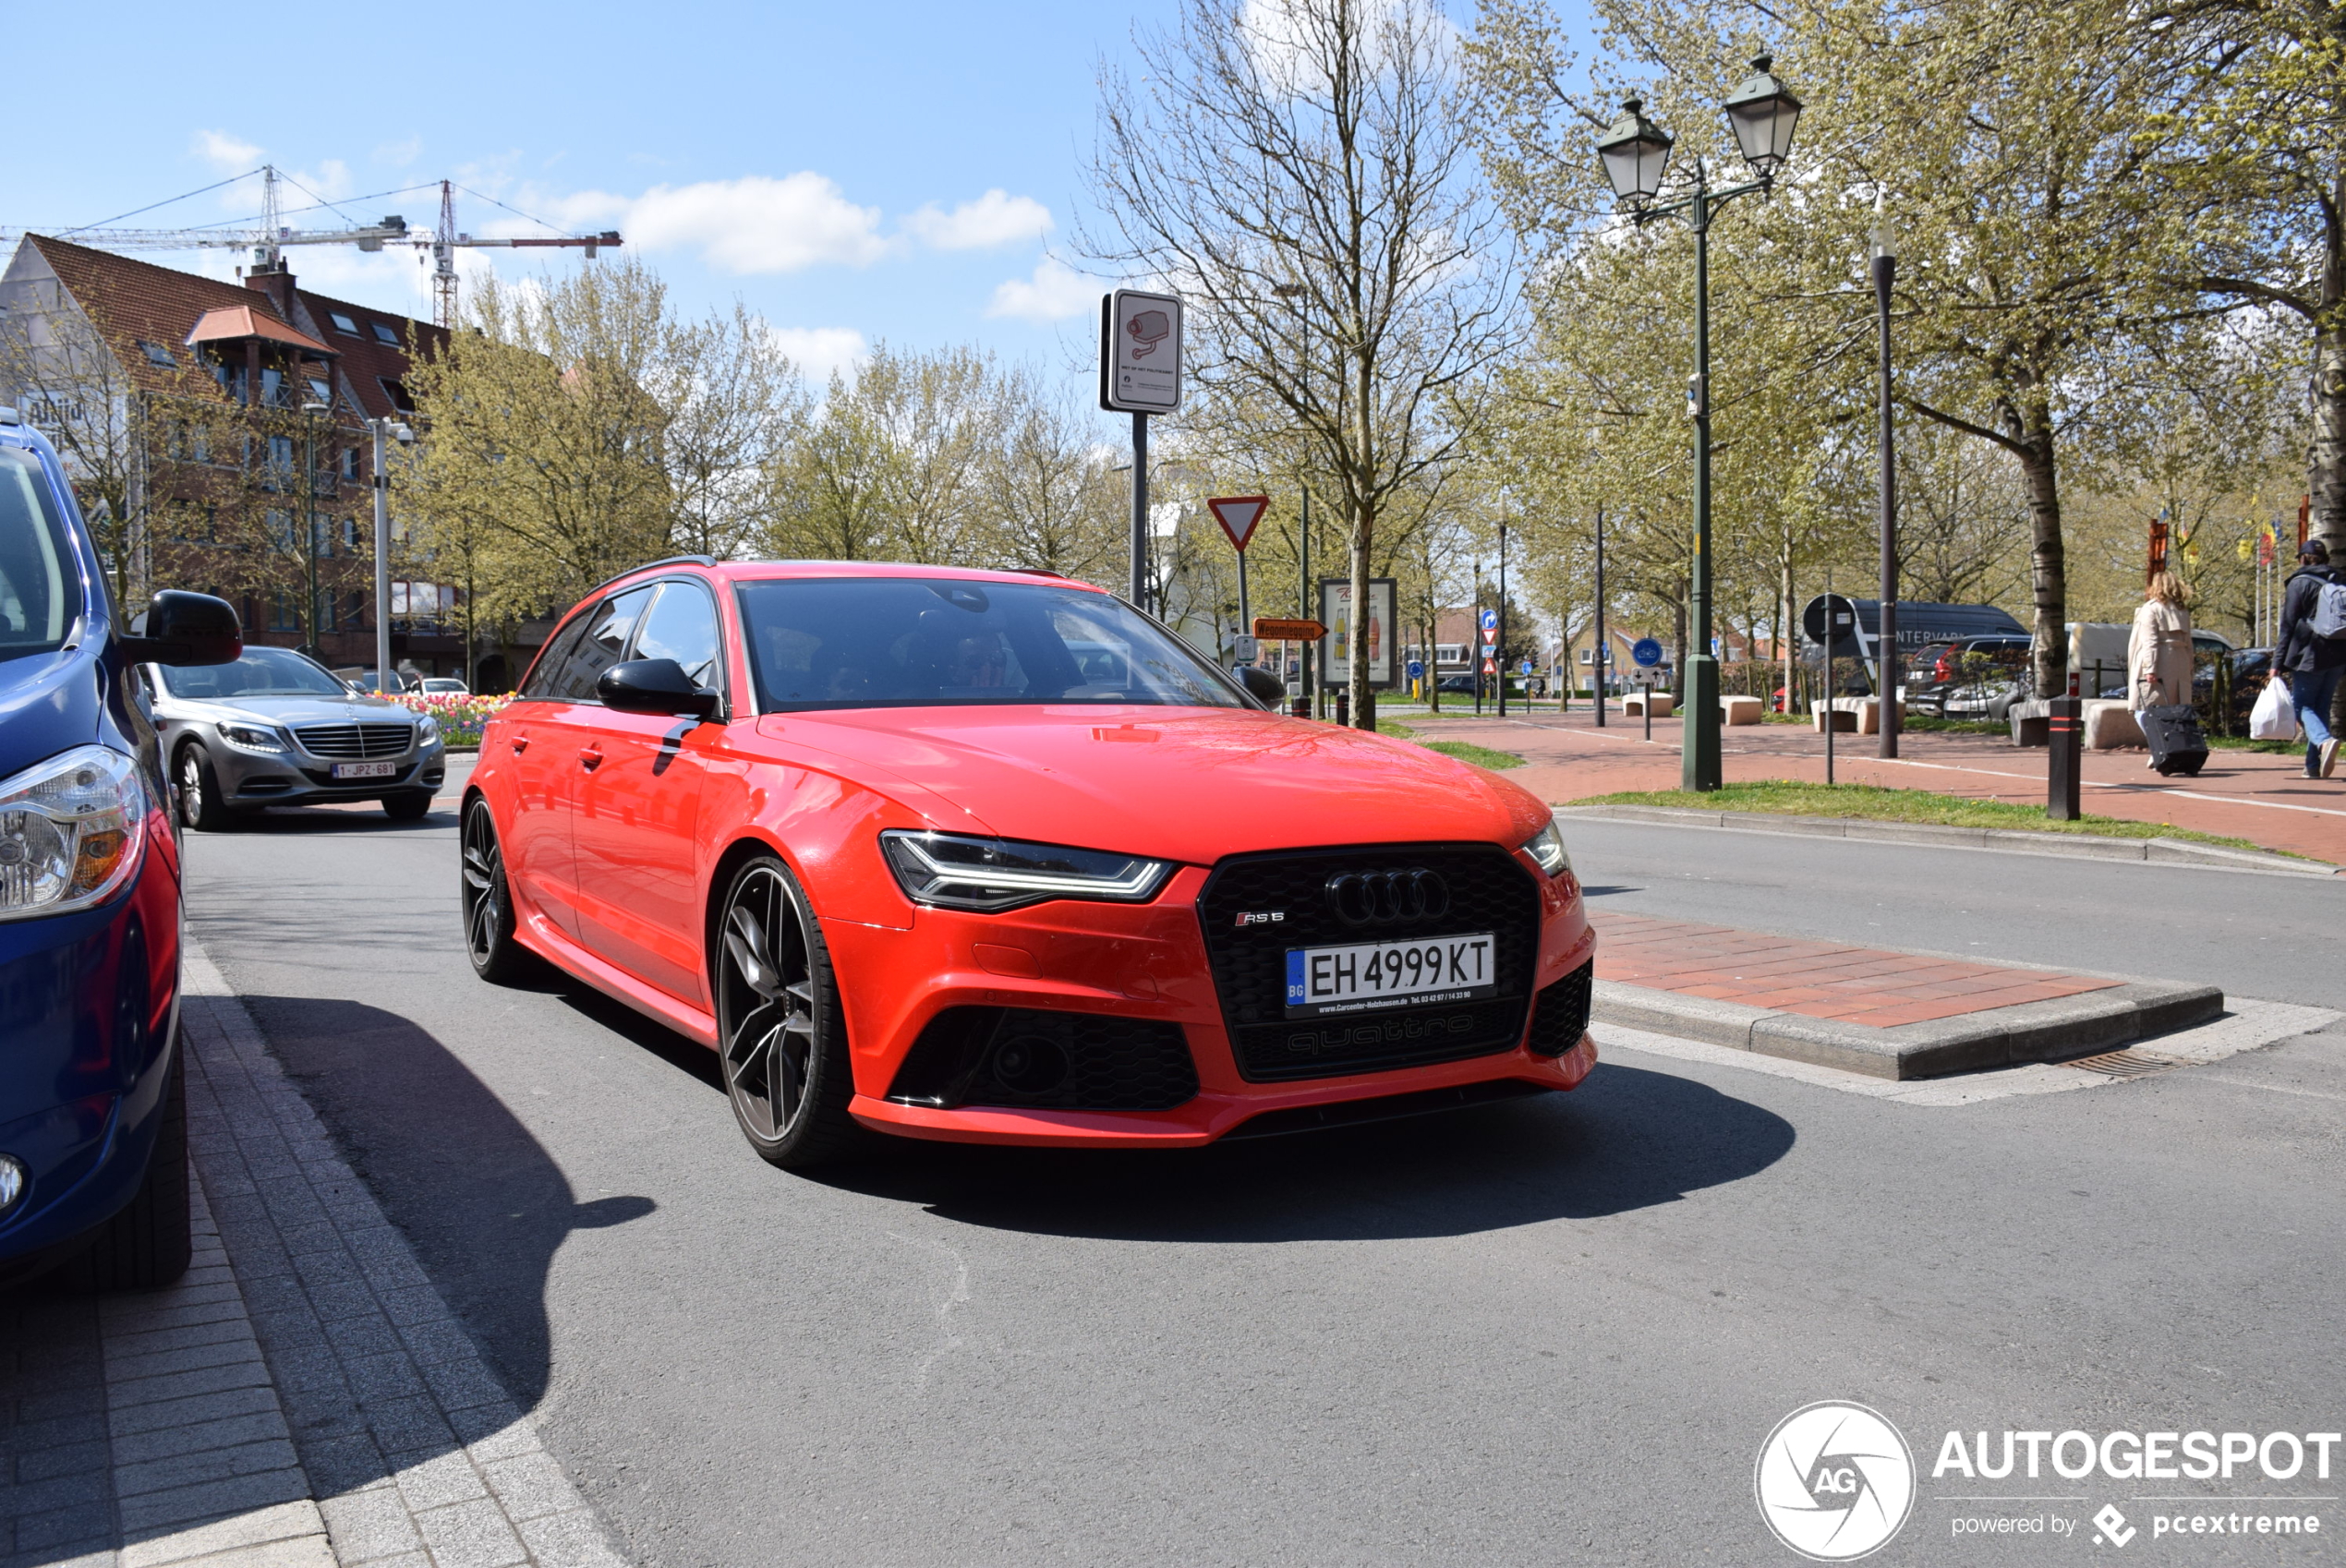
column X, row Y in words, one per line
column 304, row 1398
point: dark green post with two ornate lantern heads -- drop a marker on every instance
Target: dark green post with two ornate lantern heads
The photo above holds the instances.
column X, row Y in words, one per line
column 1636, row 154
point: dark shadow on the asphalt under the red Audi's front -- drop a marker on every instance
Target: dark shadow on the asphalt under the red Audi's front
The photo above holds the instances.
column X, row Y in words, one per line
column 1625, row 1140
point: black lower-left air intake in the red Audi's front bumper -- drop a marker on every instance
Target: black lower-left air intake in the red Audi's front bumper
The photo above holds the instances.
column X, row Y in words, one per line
column 1047, row 1061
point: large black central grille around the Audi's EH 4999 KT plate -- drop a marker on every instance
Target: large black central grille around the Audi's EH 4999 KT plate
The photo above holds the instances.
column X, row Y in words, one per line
column 1486, row 892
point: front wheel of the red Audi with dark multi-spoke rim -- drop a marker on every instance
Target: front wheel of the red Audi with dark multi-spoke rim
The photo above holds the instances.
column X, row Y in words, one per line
column 782, row 1032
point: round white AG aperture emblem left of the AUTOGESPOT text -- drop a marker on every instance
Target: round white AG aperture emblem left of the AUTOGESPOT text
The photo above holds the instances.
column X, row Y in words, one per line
column 1836, row 1482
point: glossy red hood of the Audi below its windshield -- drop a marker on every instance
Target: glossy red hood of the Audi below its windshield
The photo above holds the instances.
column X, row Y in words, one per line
column 1181, row 784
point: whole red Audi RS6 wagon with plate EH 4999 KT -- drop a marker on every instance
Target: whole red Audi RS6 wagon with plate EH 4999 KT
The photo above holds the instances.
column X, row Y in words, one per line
column 991, row 857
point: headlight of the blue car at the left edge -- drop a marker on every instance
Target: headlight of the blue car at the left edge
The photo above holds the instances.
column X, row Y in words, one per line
column 69, row 831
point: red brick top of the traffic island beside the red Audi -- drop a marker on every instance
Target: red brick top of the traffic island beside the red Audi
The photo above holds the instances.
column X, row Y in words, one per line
column 1855, row 986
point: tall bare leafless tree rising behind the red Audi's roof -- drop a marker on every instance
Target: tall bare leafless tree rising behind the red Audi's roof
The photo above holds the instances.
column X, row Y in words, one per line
column 1301, row 172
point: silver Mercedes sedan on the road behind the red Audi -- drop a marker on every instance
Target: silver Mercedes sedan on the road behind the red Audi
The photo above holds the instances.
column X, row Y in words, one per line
column 280, row 730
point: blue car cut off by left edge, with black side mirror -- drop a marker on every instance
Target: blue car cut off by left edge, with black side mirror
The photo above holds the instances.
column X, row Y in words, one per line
column 93, row 1103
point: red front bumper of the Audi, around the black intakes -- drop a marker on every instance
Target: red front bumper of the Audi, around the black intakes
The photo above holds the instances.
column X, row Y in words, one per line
column 1144, row 964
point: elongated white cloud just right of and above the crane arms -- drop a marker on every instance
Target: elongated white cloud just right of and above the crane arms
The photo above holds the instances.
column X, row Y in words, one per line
column 754, row 224
